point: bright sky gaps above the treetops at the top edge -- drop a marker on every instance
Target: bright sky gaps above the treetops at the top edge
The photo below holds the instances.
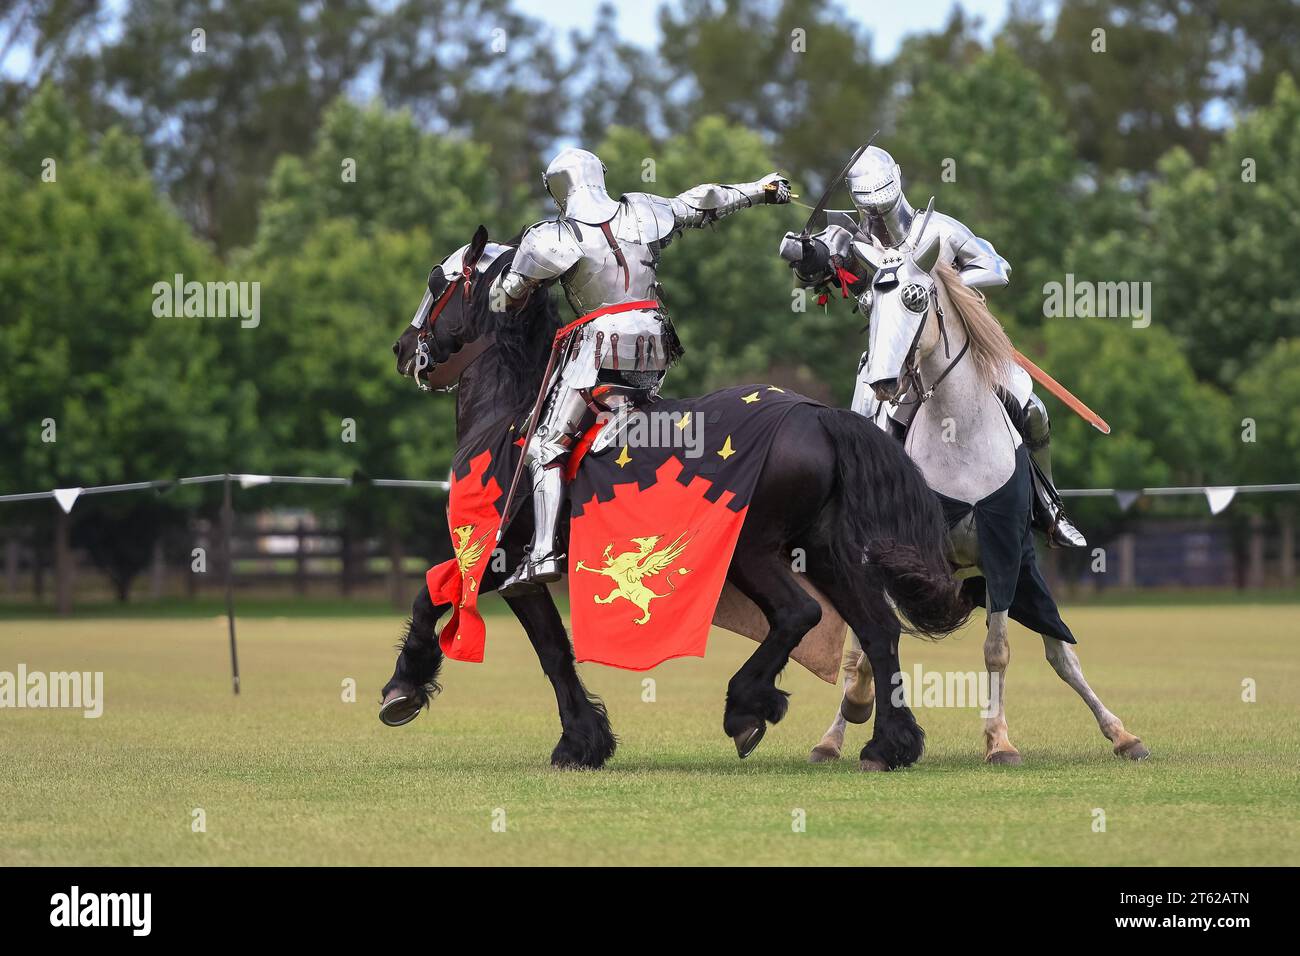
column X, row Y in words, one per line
column 890, row 23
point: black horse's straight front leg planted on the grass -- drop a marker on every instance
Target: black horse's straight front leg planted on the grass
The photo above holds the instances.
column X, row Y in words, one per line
column 586, row 738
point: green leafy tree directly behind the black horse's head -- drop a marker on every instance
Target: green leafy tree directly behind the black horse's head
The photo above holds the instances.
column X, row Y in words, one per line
column 344, row 262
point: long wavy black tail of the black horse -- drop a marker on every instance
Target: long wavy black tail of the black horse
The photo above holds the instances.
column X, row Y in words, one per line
column 892, row 526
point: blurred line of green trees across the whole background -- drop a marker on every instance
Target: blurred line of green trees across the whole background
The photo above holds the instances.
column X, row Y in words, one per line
column 332, row 153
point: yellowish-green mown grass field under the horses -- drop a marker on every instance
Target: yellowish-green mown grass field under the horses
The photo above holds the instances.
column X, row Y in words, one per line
column 288, row 773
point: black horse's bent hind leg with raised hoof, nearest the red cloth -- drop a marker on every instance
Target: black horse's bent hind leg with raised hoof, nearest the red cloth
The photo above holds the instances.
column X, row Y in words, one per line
column 753, row 699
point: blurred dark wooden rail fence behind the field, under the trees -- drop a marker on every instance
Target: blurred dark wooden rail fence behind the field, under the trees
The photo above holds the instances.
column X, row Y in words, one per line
column 288, row 555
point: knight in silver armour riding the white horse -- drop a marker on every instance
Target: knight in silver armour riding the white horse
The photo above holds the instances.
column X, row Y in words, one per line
column 887, row 220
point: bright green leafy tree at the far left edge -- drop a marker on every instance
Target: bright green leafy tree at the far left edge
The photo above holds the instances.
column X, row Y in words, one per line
column 106, row 391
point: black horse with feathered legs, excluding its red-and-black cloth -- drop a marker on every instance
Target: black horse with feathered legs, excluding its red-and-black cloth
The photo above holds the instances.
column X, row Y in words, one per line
column 833, row 485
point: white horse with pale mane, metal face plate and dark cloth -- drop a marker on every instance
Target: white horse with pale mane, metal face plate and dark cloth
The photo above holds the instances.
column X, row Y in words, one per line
column 939, row 341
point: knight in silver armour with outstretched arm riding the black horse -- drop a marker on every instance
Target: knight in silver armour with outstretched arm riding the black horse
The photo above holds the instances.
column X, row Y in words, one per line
column 605, row 254
